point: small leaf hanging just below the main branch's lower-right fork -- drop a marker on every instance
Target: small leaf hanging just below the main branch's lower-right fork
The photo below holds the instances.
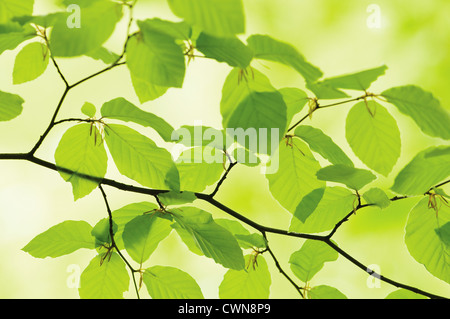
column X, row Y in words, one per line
column 310, row 259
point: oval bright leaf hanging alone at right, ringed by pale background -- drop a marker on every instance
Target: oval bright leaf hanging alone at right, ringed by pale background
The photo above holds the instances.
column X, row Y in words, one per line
column 373, row 135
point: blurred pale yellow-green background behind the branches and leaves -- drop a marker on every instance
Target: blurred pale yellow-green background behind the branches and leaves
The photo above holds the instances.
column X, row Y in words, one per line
column 413, row 42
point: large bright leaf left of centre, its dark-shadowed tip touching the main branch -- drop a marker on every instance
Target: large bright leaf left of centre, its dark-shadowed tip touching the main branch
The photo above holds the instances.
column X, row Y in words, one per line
column 140, row 159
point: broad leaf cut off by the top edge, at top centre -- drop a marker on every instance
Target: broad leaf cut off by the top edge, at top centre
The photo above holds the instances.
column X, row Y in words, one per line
column 215, row 17
